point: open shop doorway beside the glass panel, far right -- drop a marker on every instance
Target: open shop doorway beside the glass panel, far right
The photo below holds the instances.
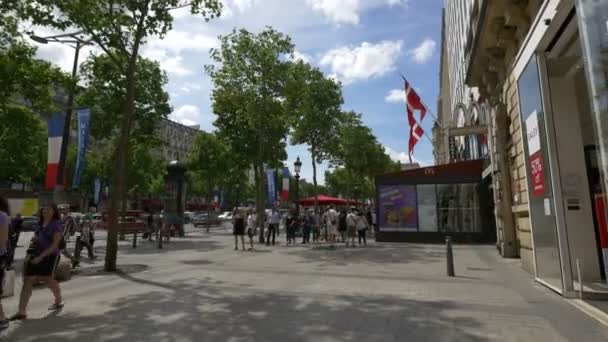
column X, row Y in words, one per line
column 575, row 174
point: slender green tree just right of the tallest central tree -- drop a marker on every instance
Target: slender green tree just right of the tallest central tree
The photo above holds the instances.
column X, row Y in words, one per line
column 314, row 102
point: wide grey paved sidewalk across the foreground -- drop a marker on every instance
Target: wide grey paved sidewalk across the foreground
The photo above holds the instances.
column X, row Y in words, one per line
column 200, row 289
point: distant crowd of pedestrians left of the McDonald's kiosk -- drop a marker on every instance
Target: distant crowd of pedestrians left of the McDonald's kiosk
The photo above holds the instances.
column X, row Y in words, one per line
column 332, row 225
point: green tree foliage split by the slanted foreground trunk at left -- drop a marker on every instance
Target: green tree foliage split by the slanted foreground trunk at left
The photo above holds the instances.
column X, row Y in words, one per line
column 104, row 93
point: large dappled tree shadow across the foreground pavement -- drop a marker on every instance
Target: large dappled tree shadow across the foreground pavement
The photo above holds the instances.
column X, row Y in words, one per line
column 207, row 312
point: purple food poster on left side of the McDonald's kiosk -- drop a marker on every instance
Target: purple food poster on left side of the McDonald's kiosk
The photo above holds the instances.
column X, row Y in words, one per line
column 398, row 210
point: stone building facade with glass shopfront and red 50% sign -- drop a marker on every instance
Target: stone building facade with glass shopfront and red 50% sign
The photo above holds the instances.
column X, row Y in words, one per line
column 542, row 67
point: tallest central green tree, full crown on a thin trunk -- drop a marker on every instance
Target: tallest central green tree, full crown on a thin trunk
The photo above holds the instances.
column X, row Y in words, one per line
column 248, row 98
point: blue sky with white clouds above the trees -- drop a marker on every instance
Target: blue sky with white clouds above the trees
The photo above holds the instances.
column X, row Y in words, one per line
column 363, row 43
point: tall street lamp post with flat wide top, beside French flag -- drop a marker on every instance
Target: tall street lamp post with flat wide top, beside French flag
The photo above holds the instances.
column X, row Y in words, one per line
column 76, row 42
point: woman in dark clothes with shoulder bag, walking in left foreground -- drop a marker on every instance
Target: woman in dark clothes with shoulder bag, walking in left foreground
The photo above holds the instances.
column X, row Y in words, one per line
column 41, row 260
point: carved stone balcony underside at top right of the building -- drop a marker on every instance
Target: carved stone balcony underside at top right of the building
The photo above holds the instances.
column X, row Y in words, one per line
column 494, row 38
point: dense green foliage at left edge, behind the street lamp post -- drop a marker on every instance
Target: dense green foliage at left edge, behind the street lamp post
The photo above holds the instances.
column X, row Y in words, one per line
column 26, row 95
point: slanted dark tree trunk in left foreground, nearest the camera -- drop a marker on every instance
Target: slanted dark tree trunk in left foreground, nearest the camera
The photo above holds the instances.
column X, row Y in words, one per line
column 118, row 192
